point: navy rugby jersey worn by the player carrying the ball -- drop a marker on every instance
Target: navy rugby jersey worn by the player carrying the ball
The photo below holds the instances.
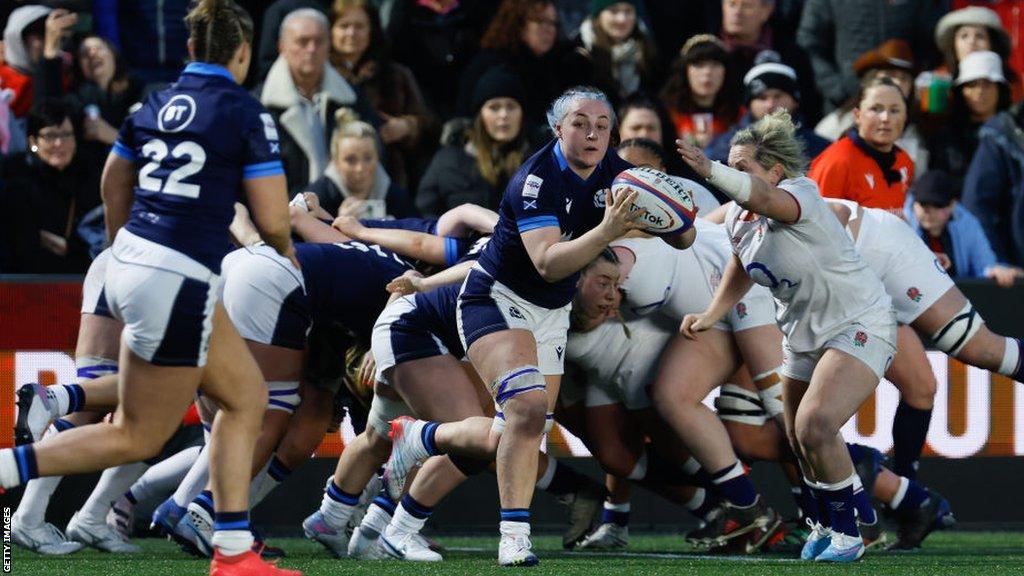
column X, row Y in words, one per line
column 545, row 192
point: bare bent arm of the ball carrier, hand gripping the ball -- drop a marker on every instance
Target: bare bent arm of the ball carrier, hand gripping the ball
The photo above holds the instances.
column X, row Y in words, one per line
column 556, row 260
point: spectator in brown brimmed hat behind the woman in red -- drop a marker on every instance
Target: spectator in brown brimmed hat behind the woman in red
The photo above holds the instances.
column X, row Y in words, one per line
column 894, row 61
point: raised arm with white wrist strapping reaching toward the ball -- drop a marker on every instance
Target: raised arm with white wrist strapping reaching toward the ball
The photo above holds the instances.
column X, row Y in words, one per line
column 749, row 191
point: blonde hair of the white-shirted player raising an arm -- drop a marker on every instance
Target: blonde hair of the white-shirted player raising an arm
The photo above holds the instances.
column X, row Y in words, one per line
column 775, row 140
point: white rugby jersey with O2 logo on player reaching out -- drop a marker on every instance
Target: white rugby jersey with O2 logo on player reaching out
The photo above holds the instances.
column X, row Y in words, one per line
column 820, row 283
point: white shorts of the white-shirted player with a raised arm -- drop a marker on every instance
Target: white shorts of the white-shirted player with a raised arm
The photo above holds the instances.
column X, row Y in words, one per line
column 875, row 347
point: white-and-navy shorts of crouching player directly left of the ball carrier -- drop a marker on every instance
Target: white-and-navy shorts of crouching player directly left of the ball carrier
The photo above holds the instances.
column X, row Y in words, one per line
column 398, row 339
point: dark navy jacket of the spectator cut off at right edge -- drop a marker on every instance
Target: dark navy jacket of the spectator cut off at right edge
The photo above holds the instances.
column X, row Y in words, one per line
column 994, row 188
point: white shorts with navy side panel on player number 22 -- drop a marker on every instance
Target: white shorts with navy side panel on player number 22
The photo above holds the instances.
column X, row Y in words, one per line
column 164, row 299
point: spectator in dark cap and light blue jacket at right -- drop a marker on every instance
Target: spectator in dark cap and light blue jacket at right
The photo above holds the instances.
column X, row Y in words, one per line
column 952, row 232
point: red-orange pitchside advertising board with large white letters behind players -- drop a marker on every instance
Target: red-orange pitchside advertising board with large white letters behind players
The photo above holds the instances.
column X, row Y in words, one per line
column 977, row 414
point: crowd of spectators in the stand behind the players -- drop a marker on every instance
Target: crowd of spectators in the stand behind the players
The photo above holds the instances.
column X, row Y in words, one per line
column 404, row 108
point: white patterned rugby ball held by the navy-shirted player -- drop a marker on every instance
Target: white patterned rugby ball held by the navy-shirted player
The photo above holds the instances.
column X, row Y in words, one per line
column 670, row 207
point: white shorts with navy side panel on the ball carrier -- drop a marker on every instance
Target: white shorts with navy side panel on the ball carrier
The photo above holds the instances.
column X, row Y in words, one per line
column 487, row 306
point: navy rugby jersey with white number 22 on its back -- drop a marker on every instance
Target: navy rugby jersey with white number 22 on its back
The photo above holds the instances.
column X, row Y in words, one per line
column 195, row 143
